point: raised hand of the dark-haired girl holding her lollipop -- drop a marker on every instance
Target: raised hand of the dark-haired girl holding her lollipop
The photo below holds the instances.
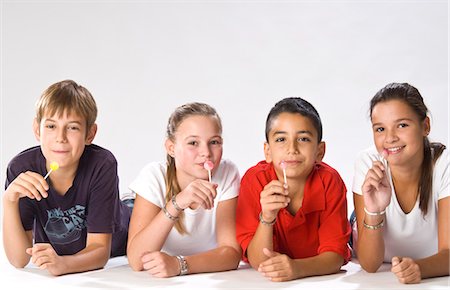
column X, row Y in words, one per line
column 376, row 188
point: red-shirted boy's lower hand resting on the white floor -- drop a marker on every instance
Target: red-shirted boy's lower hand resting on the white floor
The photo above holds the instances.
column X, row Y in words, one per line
column 277, row 267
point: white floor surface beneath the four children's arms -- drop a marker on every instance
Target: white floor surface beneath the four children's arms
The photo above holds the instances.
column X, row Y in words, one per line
column 118, row 275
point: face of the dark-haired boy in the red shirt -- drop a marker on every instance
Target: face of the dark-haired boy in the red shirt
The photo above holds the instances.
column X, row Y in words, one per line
column 293, row 139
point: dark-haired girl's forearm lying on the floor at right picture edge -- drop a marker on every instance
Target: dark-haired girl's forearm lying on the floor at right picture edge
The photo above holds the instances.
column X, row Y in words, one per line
column 435, row 266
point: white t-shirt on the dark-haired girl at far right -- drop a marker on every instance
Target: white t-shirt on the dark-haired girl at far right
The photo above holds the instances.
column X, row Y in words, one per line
column 408, row 235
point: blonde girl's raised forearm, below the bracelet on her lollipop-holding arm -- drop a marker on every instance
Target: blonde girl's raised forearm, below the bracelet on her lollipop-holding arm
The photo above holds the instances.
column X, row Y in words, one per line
column 149, row 239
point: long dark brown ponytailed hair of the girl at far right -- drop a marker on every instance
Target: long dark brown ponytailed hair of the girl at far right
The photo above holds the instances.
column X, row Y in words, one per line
column 431, row 151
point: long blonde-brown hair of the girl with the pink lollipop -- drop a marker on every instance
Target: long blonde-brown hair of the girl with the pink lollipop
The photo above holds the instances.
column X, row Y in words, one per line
column 177, row 117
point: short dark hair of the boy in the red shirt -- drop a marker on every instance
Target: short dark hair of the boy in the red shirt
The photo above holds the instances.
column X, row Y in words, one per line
column 294, row 105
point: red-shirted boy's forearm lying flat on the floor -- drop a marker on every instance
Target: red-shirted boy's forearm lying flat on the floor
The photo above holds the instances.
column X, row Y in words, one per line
column 322, row 264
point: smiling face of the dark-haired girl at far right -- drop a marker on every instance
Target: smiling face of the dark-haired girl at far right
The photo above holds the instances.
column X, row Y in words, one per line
column 397, row 129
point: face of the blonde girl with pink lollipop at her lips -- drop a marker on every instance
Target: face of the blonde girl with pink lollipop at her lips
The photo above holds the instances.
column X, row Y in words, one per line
column 197, row 139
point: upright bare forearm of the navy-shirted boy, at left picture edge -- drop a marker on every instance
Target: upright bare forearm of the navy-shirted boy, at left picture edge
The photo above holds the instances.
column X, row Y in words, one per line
column 15, row 238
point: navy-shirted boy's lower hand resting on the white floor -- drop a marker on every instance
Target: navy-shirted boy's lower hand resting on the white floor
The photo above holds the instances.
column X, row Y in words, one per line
column 44, row 256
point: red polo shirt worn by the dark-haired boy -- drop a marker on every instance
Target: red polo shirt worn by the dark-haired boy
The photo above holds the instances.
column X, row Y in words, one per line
column 320, row 225
